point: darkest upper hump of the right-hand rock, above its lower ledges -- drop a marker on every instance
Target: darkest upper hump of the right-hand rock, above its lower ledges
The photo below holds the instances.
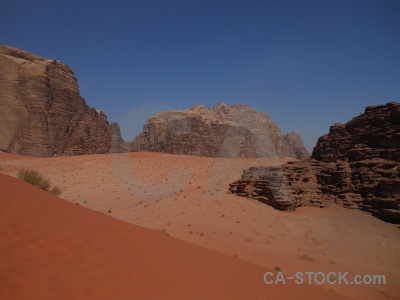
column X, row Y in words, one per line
column 373, row 134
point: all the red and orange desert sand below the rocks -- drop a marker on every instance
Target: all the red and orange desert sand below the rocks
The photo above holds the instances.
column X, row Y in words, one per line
column 184, row 200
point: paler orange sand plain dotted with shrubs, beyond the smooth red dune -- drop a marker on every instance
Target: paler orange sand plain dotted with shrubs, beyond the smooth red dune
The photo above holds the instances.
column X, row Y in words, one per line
column 186, row 197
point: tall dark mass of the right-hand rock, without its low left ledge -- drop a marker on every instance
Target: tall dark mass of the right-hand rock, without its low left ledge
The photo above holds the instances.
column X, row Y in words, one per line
column 362, row 162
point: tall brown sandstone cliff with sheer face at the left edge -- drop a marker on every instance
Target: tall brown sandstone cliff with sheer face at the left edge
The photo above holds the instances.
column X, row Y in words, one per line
column 42, row 112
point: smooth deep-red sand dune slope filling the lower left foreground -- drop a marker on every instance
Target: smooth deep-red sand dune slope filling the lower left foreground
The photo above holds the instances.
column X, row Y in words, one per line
column 53, row 249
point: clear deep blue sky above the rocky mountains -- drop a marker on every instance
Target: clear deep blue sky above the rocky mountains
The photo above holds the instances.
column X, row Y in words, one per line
column 308, row 64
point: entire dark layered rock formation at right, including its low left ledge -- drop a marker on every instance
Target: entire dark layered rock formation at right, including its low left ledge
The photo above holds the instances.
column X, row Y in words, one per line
column 356, row 165
